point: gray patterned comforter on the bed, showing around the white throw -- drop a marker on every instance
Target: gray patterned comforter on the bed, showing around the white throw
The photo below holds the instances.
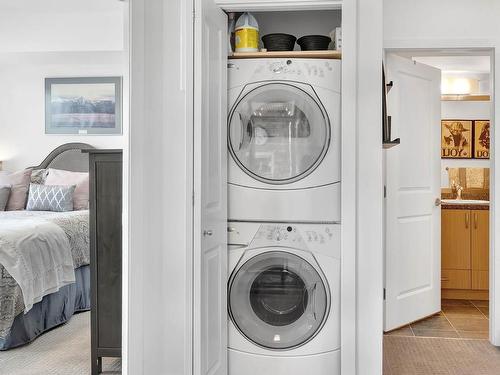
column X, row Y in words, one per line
column 76, row 227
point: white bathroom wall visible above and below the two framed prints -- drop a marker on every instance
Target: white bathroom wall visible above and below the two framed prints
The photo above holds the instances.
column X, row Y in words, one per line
column 462, row 110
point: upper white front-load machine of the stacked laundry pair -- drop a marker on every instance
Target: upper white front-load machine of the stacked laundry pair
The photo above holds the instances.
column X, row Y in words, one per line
column 284, row 140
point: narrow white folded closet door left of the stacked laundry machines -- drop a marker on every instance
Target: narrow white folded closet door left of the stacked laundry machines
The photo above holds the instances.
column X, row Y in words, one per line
column 210, row 197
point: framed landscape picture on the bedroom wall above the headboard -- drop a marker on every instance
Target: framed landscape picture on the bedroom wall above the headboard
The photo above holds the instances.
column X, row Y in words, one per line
column 83, row 105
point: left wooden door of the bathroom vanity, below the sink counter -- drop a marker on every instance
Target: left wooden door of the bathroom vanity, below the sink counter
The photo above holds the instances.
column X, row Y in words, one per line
column 456, row 239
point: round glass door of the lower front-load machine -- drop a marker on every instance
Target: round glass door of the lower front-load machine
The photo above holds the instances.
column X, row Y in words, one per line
column 278, row 300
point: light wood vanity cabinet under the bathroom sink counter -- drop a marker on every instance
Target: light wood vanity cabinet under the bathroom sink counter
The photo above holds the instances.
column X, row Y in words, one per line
column 465, row 250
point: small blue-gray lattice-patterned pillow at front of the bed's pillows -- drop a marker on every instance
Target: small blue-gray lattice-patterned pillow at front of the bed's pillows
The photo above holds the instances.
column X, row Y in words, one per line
column 50, row 198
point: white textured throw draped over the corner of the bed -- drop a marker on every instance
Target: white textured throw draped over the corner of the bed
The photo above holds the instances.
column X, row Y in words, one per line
column 36, row 252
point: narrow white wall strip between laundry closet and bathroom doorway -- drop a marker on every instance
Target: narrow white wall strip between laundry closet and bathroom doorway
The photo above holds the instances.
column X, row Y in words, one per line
column 369, row 187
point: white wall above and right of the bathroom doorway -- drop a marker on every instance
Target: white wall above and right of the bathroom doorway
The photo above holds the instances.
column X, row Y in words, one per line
column 430, row 24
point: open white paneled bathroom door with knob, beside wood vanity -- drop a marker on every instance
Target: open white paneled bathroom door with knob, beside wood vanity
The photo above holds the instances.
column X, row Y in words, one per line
column 413, row 216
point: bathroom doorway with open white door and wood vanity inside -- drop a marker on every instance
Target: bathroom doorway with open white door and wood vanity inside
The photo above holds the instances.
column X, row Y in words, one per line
column 437, row 238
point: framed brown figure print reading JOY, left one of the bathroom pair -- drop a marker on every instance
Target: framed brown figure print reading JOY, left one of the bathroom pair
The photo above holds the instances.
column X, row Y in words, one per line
column 456, row 139
